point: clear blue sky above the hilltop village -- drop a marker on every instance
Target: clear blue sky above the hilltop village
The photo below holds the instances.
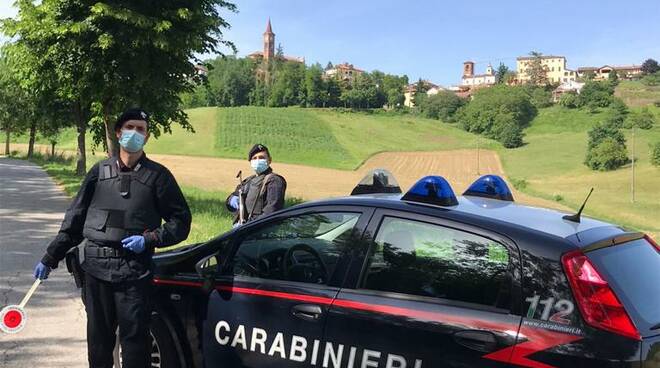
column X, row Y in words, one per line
column 431, row 39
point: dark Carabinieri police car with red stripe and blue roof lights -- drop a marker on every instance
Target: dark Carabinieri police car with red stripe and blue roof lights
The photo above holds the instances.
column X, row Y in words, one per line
column 424, row 279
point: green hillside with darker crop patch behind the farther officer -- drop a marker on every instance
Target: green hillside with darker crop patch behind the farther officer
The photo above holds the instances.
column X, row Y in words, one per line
column 316, row 137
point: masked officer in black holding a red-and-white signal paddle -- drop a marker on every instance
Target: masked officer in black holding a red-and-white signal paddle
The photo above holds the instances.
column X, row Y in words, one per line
column 118, row 212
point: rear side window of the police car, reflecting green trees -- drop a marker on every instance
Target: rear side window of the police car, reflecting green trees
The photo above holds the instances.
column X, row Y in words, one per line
column 418, row 258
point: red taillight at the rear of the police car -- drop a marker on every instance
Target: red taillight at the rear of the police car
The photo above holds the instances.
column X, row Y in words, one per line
column 599, row 305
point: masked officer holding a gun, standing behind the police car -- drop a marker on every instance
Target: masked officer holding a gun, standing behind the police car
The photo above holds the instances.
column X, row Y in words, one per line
column 263, row 193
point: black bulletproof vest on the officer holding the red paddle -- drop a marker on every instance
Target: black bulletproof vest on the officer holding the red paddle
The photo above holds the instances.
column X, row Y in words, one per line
column 124, row 203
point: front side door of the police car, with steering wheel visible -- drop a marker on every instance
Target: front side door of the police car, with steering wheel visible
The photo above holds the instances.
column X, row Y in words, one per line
column 270, row 302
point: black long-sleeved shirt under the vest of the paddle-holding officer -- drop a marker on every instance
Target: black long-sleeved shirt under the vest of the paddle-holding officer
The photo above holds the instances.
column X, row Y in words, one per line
column 171, row 206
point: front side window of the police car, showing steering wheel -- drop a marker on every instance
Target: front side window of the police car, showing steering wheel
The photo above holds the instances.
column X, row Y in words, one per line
column 303, row 248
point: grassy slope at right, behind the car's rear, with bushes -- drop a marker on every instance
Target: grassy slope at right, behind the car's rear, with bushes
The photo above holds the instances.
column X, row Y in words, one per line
column 551, row 163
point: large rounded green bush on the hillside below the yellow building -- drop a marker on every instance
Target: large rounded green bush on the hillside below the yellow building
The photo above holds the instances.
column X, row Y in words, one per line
column 500, row 112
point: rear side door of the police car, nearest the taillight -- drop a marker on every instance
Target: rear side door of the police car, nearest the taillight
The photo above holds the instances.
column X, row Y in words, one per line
column 428, row 293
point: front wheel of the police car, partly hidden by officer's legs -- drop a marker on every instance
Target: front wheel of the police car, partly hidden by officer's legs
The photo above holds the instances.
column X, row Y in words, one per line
column 163, row 349
